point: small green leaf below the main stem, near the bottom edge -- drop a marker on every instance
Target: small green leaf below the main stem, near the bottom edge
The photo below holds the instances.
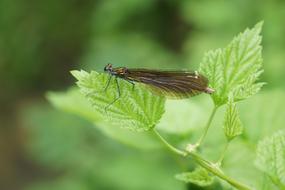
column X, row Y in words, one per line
column 199, row 176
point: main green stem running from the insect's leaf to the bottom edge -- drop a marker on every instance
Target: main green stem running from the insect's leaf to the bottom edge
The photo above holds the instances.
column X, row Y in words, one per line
column 211, row 167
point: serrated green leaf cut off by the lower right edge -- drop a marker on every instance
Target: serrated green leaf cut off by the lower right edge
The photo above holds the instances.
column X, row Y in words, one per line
column 271, row 158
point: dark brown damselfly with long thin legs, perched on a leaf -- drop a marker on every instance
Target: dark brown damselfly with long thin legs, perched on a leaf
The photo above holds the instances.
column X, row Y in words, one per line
column 171, row 84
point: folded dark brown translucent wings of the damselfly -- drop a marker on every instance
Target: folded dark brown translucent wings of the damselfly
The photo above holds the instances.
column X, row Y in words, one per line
column 171, row 84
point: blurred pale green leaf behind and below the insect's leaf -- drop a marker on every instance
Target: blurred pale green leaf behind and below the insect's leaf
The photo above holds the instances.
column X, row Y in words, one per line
column 74, row 102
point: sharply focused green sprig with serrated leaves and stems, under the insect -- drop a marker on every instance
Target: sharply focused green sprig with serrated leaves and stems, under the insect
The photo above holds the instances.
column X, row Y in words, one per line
column 232, row 72
